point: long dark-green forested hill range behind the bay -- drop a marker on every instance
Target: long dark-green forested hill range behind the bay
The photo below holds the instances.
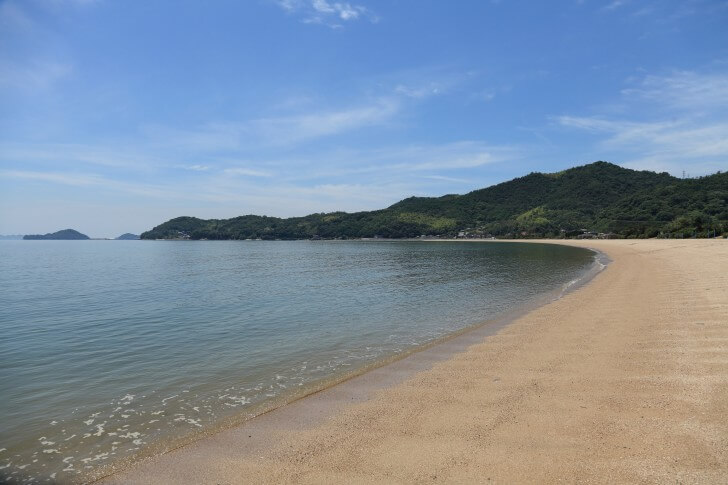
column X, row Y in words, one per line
column 599, row 197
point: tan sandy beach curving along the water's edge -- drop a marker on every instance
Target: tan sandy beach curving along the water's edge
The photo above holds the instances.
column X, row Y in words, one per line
column 623, row 380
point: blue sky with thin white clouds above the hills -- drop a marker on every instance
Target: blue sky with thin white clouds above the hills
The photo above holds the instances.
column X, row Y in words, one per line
column 116, row 116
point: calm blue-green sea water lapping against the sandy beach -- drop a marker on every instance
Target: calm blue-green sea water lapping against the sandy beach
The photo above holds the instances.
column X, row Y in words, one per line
column 112, row 349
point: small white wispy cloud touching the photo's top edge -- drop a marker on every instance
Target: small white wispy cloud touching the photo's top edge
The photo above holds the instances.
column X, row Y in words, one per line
column 325, row 12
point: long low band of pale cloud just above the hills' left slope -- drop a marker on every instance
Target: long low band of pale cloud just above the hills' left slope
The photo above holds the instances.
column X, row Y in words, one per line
column 339, row 180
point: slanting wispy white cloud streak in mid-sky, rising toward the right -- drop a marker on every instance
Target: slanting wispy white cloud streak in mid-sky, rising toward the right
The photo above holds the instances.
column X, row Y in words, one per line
column 299, row 118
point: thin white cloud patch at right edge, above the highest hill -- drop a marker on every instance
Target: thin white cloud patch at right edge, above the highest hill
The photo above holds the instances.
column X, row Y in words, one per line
column 686, row 123
